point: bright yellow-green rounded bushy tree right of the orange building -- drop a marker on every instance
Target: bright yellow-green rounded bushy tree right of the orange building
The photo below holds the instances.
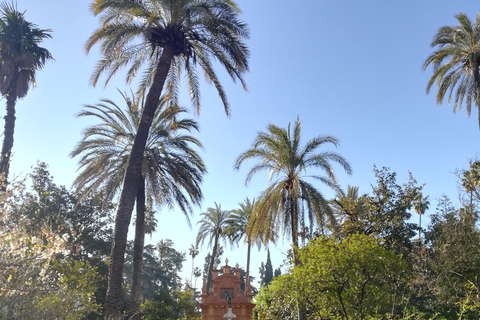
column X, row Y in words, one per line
column 348, row 279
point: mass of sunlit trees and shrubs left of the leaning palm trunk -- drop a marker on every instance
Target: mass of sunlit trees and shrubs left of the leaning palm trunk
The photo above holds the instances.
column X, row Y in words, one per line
column 56, row 242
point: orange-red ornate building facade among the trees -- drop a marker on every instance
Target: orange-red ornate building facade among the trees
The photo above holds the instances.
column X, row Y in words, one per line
column 214, row 305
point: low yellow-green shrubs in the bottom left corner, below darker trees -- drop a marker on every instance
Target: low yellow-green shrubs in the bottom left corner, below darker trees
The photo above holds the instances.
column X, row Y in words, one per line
column 63, row 289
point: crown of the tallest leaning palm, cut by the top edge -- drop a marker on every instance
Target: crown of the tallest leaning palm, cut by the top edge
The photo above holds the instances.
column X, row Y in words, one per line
column 135, row 33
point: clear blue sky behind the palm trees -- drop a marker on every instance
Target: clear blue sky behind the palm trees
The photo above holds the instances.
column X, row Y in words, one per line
column 352, row 69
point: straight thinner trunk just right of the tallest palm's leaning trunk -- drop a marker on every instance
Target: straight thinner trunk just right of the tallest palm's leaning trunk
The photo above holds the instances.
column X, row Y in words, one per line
column 138, row 253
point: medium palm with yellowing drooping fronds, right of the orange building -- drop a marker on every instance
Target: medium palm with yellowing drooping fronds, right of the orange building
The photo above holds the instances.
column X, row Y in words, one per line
column 289, row 197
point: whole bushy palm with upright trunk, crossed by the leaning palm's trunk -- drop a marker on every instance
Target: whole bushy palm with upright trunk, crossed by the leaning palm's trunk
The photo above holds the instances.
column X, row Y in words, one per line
column 171, row 170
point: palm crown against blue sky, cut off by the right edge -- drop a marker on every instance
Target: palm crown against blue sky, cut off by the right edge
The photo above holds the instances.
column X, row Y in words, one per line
column 456, row 63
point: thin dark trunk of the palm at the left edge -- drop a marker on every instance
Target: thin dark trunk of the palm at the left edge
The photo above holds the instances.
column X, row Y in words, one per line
column 8, row 137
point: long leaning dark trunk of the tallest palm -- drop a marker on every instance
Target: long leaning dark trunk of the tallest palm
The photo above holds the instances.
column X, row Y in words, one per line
column 126, row 201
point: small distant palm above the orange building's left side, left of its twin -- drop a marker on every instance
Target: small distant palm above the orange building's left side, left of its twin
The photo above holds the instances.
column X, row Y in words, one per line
column 212, row 226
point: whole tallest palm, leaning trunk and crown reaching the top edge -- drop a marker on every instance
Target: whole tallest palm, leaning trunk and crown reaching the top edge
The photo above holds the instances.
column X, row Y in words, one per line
column 162, row 37
